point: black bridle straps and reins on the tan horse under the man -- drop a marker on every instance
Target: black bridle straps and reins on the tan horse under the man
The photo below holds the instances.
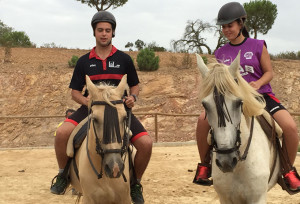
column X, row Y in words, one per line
column 99, row 149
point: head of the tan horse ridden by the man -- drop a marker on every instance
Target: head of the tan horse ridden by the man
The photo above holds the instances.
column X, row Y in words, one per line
column 108, row 125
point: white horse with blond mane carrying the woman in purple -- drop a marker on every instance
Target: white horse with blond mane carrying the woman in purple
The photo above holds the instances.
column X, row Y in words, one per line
column 242, row 173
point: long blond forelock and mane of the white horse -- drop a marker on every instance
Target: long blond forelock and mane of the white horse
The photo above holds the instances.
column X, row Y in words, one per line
column 219, row 78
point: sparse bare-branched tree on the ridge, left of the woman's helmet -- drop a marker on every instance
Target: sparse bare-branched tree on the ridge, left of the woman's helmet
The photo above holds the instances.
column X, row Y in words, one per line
column 192, row 39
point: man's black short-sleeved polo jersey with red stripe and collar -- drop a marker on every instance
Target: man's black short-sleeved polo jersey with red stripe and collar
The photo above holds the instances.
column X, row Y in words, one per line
column 109, row 70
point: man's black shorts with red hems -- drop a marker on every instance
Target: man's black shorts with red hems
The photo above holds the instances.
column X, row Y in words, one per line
column 136, row 126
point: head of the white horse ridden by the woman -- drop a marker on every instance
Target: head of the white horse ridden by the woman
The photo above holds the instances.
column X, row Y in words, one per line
column 223, row 107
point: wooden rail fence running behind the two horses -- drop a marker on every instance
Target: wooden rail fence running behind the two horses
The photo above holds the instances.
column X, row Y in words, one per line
column 154, row 114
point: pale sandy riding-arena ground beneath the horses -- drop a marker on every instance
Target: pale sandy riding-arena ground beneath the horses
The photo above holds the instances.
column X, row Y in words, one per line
column 25, row 177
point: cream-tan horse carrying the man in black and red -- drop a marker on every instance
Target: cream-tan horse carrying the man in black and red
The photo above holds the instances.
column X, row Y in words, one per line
column 101, row 160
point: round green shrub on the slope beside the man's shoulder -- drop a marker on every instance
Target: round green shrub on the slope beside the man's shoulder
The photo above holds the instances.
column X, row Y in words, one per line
column 147, row 61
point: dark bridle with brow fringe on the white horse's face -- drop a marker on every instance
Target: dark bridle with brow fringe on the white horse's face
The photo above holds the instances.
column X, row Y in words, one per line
column 223, row 114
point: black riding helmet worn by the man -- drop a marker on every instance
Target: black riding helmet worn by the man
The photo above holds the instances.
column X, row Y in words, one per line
column 104, row 16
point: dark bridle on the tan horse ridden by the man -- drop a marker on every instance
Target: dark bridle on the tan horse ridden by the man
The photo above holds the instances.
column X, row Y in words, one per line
column 125, row 143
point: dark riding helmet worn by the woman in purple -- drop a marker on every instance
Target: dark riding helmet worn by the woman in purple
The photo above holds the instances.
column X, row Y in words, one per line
column 231, row 12
